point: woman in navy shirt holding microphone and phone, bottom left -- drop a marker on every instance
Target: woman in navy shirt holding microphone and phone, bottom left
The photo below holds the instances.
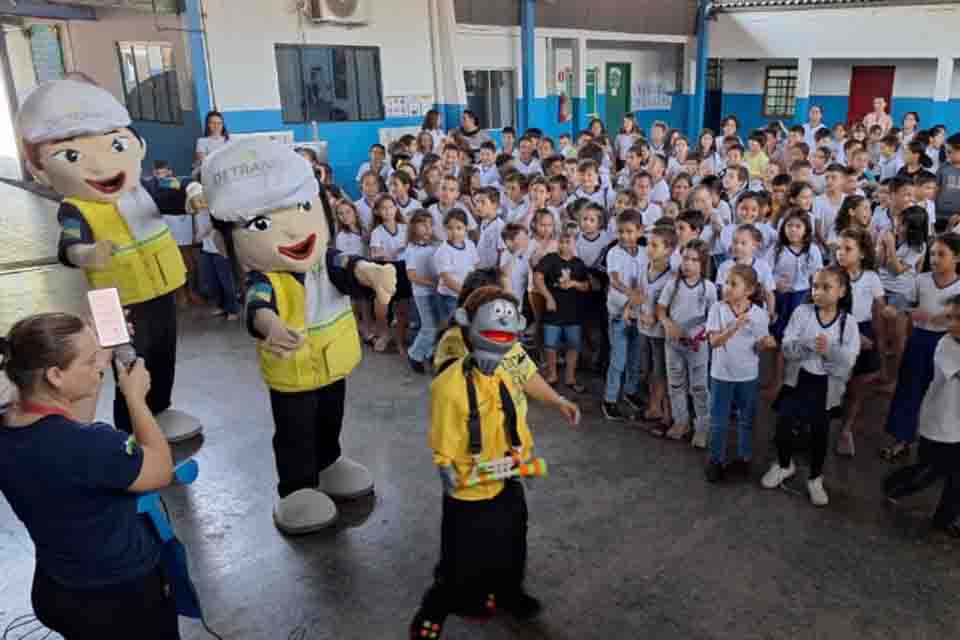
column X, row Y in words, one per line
column 74, row 485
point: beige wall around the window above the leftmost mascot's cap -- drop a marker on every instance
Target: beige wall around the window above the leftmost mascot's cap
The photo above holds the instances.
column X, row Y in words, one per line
column 93, row 46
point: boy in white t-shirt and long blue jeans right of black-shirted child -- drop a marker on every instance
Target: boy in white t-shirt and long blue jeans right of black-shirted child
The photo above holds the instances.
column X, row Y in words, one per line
column 626, row 265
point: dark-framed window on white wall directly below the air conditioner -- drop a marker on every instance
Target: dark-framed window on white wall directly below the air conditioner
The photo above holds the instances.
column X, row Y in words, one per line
column 329, row 83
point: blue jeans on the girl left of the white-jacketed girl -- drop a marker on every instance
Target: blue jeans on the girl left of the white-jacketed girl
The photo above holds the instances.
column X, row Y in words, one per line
column 724, row 396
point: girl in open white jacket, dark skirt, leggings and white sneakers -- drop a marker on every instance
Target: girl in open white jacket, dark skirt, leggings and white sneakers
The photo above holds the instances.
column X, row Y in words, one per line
column 820, row 346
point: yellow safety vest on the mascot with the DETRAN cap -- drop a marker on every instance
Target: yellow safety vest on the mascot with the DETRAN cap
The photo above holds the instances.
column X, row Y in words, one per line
column 332, row 347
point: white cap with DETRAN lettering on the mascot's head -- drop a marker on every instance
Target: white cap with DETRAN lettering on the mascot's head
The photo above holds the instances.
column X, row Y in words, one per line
column 254, row 177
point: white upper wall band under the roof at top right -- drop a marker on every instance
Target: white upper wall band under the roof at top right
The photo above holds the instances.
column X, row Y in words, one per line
column 879, row 32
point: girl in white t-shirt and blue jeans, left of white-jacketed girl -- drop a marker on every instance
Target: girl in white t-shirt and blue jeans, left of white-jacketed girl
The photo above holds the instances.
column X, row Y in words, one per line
column 738, row 329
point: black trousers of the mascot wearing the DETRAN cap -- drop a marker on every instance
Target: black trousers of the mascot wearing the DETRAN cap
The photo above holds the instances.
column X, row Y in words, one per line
column 307, row 436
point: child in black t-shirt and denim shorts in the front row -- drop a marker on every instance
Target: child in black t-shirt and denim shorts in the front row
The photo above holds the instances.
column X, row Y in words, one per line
column 564, row 281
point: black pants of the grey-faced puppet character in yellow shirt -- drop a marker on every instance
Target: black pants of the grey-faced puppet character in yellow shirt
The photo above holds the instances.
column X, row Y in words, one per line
column 483, row 552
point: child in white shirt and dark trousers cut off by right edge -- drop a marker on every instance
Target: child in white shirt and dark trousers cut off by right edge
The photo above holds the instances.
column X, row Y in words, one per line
column 939, row 431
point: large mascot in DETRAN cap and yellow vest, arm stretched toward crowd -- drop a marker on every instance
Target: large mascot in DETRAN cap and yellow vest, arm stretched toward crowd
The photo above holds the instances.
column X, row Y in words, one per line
column 265, row 200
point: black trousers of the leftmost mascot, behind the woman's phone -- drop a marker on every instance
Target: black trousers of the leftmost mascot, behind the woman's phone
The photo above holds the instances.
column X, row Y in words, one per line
column 155, row 340
